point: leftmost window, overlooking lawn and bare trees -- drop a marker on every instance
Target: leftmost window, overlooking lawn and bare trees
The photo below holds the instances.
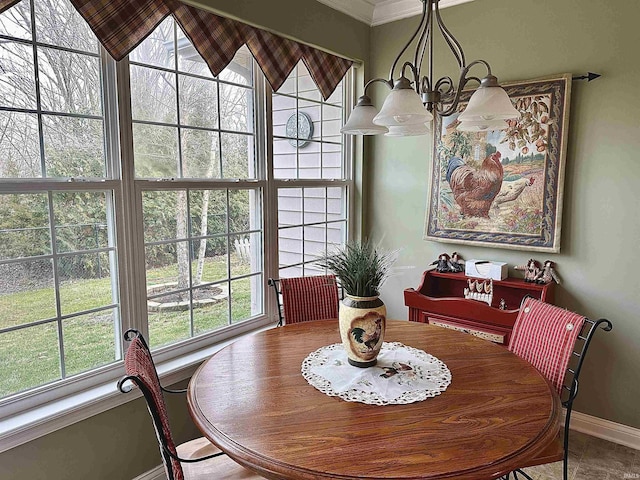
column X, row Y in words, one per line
column 58, row 260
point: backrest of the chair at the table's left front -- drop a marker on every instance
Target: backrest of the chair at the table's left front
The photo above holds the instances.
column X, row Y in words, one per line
column 141, row 370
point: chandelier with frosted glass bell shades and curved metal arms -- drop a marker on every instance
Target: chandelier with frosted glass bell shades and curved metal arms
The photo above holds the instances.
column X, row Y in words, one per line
column 409, row 107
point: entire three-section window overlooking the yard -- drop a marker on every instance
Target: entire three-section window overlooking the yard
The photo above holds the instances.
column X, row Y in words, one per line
column 155, row 217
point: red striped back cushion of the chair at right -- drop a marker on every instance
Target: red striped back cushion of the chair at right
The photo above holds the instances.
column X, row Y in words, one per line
column 545, row 336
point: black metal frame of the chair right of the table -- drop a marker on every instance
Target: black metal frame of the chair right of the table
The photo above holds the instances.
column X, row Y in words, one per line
column 571, row 376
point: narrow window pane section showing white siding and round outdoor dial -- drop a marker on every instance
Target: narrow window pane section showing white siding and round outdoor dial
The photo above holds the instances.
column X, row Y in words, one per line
column 312, row 175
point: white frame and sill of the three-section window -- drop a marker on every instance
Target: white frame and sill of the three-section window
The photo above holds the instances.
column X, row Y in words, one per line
column 37, row 412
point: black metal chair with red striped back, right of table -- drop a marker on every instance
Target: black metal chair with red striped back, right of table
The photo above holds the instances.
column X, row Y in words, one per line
column 555, row 341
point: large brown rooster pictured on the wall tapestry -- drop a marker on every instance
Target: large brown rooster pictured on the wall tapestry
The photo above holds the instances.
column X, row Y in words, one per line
column 474, row 189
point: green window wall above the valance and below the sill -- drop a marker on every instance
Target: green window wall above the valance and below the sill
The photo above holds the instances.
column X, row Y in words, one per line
column 120, row 443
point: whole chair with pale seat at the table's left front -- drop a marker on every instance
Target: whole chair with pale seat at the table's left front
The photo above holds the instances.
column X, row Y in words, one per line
column 195, row 460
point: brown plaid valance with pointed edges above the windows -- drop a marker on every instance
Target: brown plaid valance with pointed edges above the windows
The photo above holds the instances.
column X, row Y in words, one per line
column 121, row 25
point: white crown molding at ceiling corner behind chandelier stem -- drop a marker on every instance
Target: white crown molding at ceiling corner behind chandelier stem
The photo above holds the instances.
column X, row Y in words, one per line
column 376, row 12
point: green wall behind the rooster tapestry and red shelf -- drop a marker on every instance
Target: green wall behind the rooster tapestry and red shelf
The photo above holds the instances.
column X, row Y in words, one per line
column 522, row 39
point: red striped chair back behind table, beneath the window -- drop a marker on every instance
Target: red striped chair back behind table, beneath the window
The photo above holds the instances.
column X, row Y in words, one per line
column 306, row 298
